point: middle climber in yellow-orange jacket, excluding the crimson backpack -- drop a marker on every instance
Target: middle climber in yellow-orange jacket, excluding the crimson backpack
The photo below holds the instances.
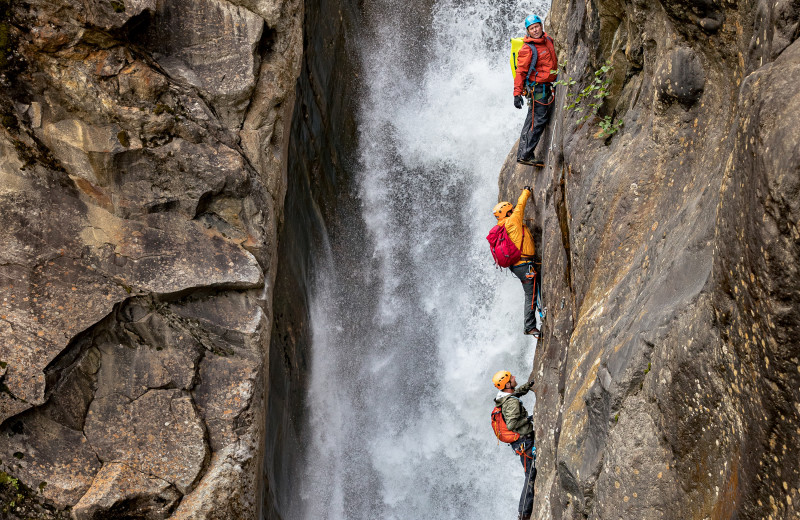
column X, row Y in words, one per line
column 511, row 217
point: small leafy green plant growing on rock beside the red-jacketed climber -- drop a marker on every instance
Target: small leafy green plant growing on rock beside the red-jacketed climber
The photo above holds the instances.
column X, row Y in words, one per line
column 589, row 100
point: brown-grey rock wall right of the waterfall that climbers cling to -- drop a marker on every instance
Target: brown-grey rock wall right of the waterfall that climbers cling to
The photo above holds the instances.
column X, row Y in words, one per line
column 667, row 379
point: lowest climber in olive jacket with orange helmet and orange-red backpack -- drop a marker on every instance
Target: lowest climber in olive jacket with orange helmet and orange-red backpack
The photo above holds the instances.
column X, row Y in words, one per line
column 514, row 426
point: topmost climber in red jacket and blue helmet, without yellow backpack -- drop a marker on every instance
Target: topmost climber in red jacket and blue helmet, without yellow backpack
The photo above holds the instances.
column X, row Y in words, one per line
column 534, row 79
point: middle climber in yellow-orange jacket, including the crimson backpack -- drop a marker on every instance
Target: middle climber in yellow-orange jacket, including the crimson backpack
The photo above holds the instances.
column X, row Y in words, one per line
column 510, row 225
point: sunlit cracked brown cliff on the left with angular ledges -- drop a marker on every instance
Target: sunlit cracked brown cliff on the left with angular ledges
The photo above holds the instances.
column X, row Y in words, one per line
column 142, row 186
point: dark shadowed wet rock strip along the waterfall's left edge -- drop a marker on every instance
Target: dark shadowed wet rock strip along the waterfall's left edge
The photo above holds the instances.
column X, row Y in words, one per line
column 323, row 137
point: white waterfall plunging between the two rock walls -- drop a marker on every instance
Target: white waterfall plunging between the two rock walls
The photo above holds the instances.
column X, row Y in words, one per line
column 409, row 318
